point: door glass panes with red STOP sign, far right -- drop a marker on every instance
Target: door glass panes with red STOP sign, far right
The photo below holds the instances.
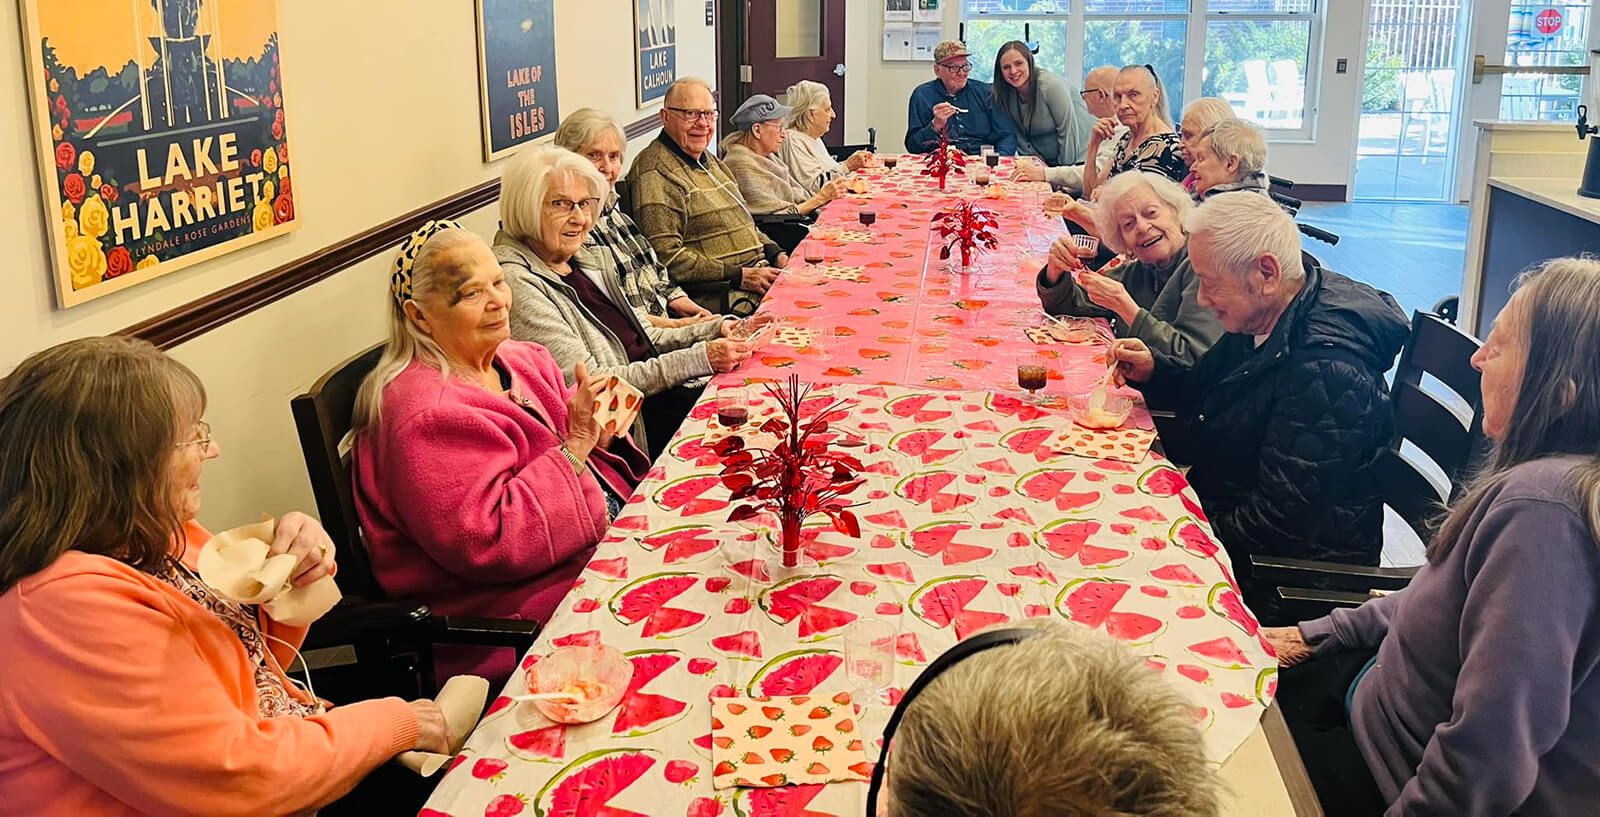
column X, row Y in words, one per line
column 1545, row 34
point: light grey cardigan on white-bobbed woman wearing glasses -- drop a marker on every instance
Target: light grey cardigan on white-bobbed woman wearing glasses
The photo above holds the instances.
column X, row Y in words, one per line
column 545, row 309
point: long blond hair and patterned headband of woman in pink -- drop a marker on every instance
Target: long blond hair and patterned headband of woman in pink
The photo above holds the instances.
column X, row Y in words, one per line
column 407, row 343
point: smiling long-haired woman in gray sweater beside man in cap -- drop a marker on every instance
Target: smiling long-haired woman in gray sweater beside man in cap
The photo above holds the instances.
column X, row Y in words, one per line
column 1052, row 121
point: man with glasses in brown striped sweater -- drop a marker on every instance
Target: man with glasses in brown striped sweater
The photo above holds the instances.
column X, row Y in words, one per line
column 689, row 207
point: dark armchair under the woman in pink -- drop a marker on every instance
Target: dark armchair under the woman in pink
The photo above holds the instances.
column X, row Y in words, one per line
column 393, row 637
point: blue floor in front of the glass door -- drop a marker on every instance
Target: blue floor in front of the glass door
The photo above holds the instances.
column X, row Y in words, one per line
column 1412, row 252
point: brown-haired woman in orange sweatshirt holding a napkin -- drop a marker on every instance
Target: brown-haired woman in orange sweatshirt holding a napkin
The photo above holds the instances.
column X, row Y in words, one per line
column 129, row 688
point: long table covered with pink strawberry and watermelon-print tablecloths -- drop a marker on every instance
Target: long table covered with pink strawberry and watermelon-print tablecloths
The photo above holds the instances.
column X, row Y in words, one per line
column 970, row 517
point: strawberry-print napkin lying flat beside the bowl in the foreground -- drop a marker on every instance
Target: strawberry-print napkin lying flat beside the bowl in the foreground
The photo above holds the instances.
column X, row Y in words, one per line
column 782, row 741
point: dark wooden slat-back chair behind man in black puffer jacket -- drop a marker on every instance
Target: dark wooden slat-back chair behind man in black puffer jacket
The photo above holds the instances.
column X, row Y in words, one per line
column 1412, row 488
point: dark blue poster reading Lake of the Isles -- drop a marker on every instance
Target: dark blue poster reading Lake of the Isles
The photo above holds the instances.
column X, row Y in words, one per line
column 516, row 73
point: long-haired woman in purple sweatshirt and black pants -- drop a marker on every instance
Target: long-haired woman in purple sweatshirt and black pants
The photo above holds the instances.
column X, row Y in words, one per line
column 1484, row 698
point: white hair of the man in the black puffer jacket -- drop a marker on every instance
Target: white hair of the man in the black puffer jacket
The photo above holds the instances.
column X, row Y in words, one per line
column 1241, row 228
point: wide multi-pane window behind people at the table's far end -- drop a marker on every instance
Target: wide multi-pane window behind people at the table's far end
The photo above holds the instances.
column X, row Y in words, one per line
column 1258, row 55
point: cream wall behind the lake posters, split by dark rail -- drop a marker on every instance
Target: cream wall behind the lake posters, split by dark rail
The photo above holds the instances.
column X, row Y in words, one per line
column 385, row 118
